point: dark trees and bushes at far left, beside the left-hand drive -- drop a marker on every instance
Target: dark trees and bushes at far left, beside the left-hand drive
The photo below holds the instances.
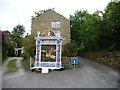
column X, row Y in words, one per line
column 11, row 40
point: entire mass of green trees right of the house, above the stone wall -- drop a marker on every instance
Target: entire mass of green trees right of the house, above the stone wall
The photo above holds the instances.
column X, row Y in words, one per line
column 93, row 32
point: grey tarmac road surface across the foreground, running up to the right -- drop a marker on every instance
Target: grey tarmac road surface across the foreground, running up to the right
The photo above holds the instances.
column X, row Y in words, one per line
column 88, row 75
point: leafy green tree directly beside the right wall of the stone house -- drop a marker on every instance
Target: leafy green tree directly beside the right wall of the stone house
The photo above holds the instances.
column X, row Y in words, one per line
column 84, row 27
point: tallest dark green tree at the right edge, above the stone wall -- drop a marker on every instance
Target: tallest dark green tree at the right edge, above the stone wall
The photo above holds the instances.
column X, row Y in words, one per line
column 108, row 34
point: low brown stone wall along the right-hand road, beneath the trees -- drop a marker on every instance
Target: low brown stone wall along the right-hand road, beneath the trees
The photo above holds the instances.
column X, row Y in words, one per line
column 111, row 59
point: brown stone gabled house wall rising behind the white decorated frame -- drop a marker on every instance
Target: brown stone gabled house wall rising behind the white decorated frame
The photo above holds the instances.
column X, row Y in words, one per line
column 52, row 21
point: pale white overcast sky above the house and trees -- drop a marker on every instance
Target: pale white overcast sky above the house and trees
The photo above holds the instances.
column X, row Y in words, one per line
column 14, row 12
